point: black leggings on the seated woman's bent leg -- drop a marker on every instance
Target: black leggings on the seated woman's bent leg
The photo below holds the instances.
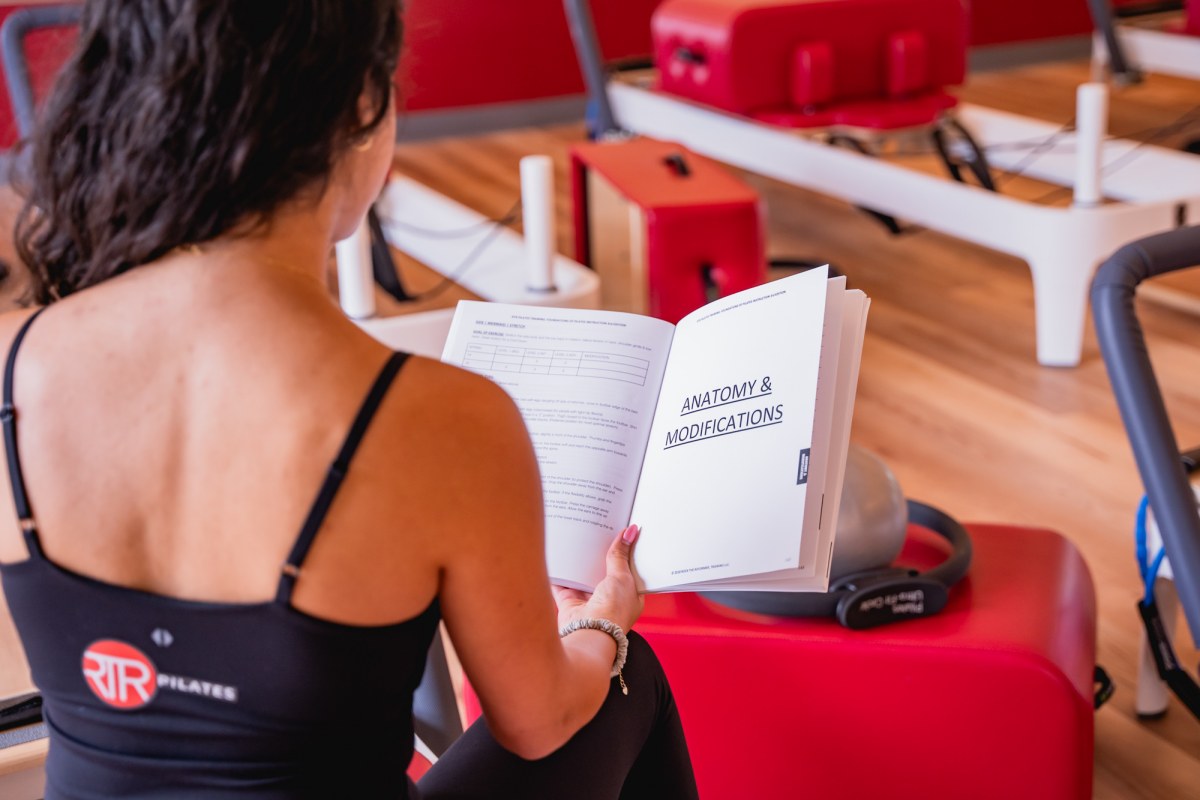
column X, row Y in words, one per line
column 633, row 750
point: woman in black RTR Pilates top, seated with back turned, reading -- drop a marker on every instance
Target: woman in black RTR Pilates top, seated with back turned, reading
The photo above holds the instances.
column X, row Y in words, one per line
column 209, row 607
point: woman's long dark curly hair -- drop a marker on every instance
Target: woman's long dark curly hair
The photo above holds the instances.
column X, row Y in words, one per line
column 177, row 122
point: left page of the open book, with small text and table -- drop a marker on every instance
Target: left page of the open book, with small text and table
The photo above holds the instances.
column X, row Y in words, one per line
column 586, row 383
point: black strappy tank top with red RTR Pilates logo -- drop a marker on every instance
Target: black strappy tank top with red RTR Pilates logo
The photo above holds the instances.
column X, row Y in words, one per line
column 148, row 696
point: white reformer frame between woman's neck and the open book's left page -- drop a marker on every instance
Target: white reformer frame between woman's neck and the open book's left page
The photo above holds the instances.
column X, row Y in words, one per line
column 501, row 272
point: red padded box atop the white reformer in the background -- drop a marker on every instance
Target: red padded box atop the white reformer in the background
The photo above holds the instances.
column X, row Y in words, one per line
column 880, row 64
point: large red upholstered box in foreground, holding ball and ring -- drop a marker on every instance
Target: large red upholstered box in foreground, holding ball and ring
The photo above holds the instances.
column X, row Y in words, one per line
column 989, row 700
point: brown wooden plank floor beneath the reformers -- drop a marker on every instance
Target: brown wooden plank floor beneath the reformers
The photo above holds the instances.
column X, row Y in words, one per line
column 951, row 395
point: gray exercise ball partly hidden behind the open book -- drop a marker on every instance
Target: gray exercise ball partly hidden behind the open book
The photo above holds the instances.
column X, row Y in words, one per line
column 873, row 516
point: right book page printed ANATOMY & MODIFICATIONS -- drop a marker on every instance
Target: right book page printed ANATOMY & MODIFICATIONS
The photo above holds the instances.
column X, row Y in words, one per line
column 725, row 482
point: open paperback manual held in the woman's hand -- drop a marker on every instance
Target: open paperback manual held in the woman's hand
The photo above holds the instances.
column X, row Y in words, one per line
column 723, row 437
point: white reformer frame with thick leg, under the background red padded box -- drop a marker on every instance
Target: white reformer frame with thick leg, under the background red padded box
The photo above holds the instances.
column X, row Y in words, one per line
column 1064, row 246
